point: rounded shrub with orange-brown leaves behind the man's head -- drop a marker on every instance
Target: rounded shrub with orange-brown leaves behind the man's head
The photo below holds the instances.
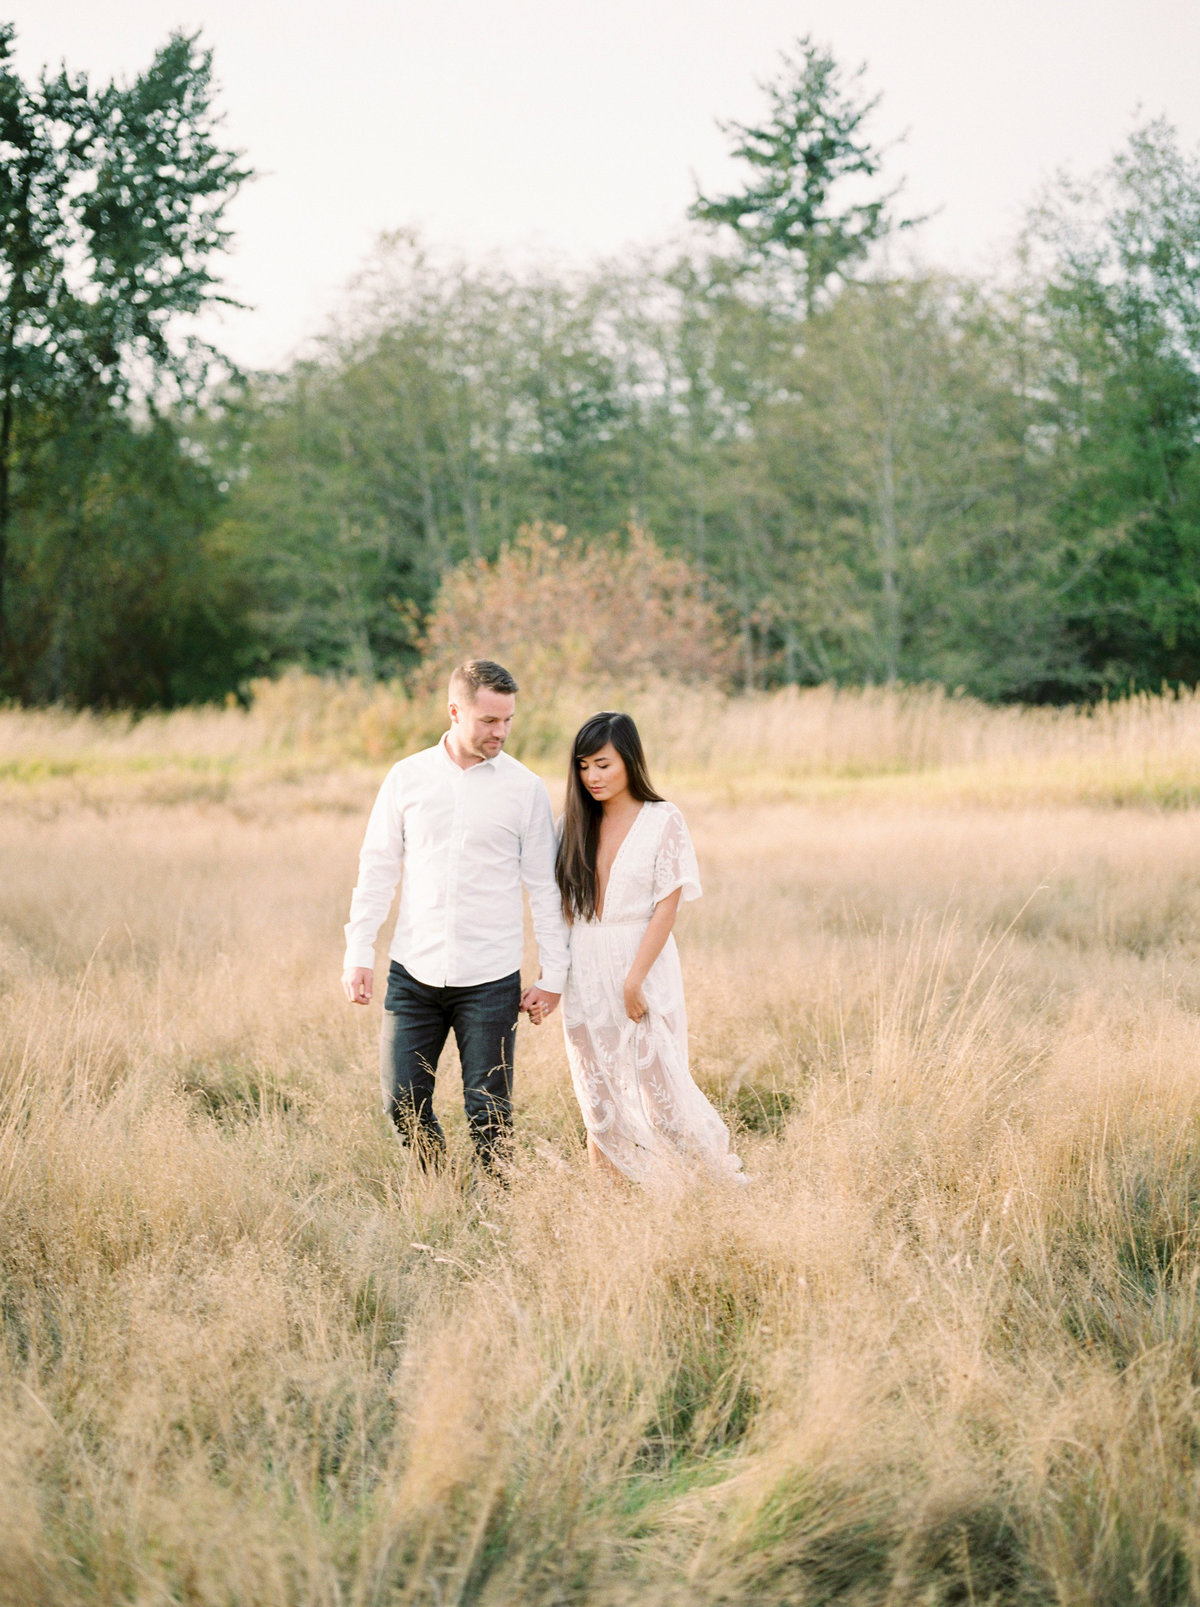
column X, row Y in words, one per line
column 553, row 608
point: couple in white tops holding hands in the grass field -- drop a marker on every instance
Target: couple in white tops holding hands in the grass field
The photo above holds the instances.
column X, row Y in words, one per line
column 463, row 827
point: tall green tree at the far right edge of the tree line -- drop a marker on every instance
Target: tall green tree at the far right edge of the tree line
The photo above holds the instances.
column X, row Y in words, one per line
column 1122, row 309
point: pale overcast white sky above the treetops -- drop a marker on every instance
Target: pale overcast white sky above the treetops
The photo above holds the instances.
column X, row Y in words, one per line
column 579, row 128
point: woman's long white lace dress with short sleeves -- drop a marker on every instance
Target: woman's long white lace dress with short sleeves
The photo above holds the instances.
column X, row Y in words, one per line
column 640, row 1103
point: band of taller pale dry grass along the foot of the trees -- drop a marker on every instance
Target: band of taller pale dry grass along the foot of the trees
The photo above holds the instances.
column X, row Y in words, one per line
column 814, row 742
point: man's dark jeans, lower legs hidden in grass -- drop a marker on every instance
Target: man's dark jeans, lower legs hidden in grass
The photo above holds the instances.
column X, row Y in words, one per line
column 417, row 1024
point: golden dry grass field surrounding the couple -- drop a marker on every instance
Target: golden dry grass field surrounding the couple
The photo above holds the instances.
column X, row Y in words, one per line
column 945, row 984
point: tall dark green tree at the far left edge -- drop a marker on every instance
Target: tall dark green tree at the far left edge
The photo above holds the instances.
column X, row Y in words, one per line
column 112, row 218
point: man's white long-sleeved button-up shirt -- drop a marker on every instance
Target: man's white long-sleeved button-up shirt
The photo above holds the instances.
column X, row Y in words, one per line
column 465, row 841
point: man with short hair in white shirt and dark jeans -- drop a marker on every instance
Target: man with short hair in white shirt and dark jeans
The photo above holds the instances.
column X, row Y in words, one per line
column 468, row 825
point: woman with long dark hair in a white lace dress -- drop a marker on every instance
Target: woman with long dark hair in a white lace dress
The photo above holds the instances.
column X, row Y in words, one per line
column 624, row 865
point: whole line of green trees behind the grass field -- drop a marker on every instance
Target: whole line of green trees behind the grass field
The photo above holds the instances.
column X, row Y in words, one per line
column 871, row 472
